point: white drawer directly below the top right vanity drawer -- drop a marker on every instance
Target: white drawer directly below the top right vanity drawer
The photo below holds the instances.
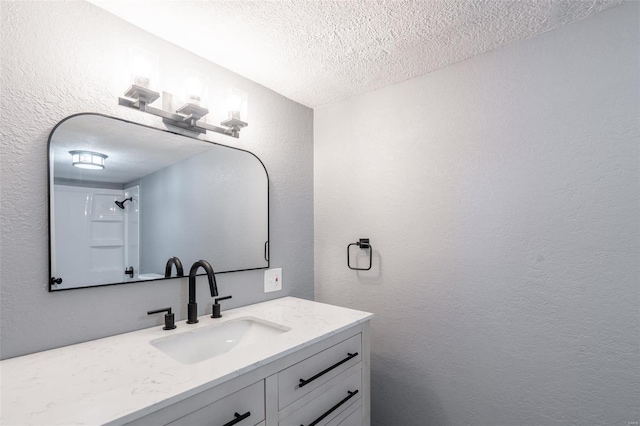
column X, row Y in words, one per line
column 328, row 408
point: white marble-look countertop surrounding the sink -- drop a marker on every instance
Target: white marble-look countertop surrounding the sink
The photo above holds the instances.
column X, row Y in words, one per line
column 104, row 380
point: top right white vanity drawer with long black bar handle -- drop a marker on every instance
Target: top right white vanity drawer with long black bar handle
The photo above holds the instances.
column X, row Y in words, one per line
column 317, row 370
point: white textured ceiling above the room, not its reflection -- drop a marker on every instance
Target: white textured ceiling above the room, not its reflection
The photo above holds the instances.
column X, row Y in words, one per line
column 316, row 52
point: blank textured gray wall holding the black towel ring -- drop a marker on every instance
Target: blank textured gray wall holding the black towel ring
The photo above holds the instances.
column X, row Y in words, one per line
column 501, row 195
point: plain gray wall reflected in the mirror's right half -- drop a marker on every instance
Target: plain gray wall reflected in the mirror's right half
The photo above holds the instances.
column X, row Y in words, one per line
column 224, row 189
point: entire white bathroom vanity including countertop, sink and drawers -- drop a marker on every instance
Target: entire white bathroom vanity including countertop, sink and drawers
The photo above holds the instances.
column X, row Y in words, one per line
column 313, row 372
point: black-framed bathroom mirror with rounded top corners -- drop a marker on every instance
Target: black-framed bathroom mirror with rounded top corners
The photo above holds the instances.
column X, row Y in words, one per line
column 138, row 196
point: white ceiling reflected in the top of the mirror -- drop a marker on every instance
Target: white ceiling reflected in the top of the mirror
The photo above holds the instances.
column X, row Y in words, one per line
column 133, row 150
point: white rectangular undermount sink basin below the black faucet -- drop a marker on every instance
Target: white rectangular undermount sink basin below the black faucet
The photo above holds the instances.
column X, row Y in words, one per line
column 198, row 345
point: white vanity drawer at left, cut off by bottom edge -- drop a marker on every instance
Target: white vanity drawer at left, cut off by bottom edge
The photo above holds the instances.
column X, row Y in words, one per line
column 248, row 400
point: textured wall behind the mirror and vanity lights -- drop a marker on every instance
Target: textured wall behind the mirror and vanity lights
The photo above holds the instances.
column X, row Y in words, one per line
column 61, row 58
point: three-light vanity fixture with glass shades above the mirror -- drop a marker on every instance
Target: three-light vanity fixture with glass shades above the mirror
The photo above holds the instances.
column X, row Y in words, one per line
column 141, row 94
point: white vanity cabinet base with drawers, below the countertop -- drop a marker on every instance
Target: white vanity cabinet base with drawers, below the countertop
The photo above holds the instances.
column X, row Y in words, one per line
column 334, row 390
